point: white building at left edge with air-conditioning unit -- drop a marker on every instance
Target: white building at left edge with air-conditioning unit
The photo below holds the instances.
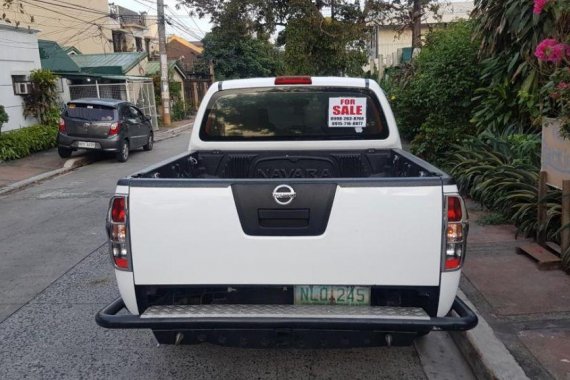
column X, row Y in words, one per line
column 19, row 55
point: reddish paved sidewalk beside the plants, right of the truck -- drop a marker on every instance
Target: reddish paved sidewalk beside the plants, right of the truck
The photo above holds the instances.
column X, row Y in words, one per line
column 528, row 309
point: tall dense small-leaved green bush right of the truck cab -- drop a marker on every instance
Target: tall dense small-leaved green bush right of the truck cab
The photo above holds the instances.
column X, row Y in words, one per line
column 433, row 96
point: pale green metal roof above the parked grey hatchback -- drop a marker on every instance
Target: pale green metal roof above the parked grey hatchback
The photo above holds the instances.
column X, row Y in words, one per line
column 112, row 63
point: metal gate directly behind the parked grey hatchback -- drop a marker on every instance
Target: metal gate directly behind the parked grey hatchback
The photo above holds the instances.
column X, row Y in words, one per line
column 140, row 93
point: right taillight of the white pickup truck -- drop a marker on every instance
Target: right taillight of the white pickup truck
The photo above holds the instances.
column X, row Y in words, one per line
column 455, row 238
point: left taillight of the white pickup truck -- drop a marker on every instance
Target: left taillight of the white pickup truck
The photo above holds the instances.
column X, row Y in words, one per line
column 117, row 232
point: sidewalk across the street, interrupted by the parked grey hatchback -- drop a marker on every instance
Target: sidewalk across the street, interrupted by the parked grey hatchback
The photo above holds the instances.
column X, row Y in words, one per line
column 46, row 164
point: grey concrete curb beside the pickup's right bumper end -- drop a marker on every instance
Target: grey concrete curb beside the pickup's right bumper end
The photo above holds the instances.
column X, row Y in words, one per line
column 487, row 355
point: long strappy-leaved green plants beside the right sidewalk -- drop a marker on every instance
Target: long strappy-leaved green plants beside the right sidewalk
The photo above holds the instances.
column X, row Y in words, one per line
column 500, row 170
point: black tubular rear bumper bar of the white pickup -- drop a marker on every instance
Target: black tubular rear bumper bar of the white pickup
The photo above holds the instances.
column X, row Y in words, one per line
column 460, row 318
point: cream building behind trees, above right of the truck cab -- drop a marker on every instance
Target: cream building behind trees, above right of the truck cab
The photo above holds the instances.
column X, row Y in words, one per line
column 390, row 44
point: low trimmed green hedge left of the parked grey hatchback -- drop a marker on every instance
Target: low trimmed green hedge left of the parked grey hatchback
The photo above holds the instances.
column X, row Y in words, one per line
column 23, row 142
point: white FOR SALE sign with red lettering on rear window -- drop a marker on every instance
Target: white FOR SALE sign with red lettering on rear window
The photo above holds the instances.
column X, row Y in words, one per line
column 347, row 113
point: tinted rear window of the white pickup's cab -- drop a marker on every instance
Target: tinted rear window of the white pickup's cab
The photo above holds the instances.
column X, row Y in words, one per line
column 314, row 113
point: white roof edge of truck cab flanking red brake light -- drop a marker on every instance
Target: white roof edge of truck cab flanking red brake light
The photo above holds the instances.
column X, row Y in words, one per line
column 270, row 82
